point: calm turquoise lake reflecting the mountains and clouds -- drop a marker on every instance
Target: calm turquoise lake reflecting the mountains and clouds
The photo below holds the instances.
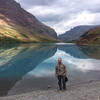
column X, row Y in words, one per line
column 30, row 67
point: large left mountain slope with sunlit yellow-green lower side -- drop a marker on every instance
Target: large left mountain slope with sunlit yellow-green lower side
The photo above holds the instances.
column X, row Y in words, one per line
column 17, row 25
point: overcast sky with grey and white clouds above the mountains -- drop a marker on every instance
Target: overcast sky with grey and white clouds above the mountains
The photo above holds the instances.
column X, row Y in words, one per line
column 63, row 15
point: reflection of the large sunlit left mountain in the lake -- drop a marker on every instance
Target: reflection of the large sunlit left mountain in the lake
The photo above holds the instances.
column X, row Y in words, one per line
column 23, row 60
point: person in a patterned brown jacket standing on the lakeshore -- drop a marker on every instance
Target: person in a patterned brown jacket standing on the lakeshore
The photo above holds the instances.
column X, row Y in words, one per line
column 61, row 74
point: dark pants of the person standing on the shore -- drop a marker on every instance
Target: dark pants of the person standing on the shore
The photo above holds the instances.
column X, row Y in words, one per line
column 61, row 82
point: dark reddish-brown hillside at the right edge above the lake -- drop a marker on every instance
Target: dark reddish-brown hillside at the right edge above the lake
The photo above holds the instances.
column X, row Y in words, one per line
column 90, row 37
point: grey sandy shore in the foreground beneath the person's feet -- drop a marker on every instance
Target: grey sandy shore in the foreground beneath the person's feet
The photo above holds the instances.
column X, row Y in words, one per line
column 88, row 91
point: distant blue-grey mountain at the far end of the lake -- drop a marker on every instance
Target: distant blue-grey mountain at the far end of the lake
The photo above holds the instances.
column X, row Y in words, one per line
column 75, row 33
